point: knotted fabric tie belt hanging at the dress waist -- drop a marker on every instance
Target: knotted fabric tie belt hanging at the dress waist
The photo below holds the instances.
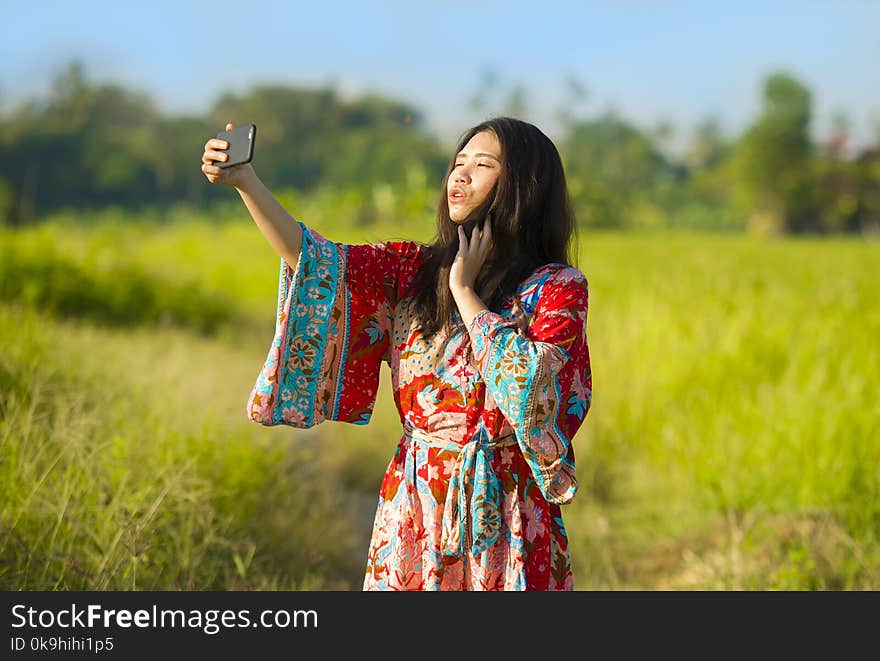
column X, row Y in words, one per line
column 472, row 511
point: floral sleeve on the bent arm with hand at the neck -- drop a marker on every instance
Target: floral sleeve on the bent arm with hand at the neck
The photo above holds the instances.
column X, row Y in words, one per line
column 540, row 378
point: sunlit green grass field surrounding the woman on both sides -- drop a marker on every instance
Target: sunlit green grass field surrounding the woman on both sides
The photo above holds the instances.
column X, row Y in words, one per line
column 733, row 440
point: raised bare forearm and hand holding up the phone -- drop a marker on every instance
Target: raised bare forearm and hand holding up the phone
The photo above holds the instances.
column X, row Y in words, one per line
column 281, row 230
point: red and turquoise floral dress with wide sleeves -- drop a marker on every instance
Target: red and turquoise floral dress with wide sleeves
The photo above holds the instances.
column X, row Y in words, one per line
column 471, row 498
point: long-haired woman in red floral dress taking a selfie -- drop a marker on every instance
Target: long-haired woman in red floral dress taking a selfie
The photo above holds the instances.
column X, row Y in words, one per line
column 485, row 334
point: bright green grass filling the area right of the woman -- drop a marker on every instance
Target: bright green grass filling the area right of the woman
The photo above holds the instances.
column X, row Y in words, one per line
column 734, row 441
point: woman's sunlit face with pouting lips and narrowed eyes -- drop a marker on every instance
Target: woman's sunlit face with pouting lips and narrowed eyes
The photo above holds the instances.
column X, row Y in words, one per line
column 476, row 170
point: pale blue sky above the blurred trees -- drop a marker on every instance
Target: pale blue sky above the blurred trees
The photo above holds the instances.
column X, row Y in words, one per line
column 650, row 60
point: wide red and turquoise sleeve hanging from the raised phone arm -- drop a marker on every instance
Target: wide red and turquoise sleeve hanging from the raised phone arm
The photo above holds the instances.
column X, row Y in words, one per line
column 332, row 332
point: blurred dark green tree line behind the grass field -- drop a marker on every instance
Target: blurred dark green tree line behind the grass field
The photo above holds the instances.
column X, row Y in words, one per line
column 89, row 146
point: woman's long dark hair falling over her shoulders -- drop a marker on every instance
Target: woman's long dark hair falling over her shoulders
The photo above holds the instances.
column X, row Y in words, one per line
column 532, row 225
